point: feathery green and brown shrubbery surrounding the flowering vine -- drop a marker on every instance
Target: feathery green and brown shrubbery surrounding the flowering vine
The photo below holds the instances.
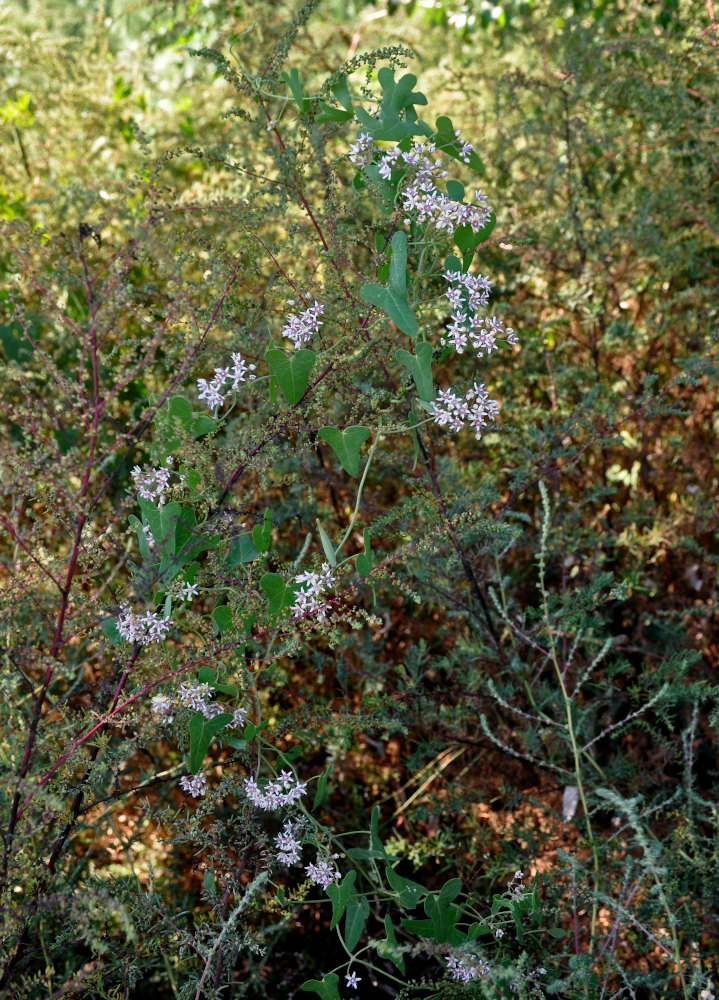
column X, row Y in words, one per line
column 527, row 680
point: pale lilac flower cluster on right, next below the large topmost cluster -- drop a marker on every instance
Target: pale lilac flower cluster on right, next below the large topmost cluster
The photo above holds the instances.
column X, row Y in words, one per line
column 467, row 294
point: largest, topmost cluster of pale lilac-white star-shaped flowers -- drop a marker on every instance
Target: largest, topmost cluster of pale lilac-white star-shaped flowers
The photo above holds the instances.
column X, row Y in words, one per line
column 421, row 198
